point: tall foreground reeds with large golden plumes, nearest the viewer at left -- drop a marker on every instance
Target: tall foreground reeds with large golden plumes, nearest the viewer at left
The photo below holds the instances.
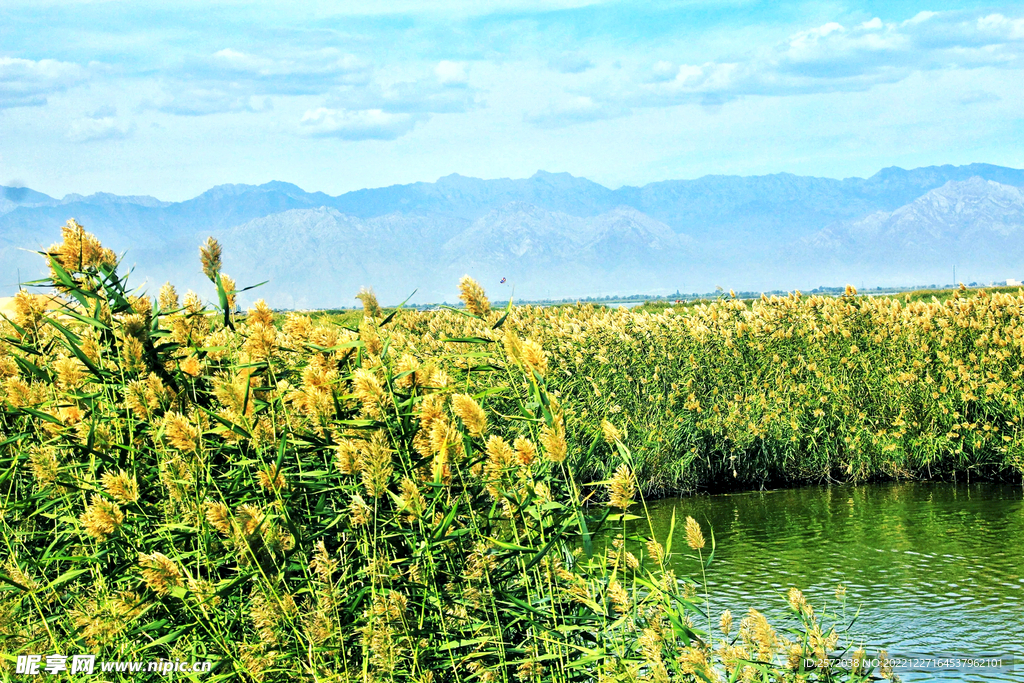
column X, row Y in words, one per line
column 404, row 501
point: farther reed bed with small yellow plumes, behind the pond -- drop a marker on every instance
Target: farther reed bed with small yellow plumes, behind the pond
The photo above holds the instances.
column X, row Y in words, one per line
column 782, row 391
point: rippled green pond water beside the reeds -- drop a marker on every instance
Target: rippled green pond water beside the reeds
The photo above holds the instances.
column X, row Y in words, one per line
column 936, row 570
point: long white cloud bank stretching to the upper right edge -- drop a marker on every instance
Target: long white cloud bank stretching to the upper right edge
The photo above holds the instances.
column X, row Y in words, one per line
column 832, row 58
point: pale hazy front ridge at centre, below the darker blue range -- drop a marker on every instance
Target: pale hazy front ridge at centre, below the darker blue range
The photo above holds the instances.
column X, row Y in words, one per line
column 311, row 255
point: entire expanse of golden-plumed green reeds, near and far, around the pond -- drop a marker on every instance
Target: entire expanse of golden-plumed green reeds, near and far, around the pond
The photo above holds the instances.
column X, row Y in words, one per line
column 417, row 496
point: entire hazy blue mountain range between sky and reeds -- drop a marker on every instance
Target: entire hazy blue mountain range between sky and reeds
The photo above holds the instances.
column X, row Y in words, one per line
column 552, row 235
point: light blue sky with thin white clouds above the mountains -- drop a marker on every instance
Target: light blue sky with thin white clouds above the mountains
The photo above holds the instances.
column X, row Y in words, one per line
column 169, row 100
